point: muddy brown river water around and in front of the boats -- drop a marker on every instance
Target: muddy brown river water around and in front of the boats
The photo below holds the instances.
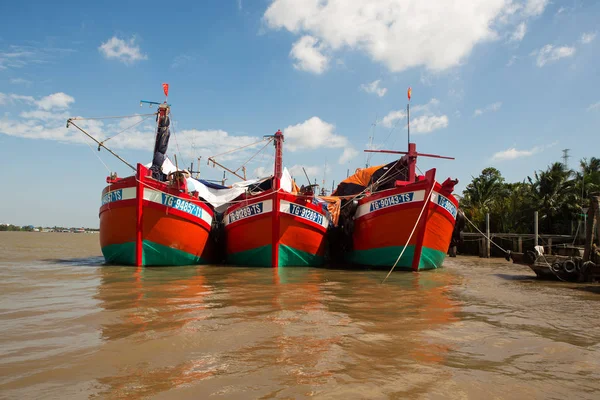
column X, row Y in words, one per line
column 73, row 328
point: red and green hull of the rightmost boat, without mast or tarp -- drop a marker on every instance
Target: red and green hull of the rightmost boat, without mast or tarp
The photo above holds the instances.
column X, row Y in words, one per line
column 385, row 221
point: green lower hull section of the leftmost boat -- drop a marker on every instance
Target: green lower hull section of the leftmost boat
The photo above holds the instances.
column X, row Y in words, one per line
column 152, row 254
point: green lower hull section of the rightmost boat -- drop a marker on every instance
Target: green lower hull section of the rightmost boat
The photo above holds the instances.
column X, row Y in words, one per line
column 387, row 256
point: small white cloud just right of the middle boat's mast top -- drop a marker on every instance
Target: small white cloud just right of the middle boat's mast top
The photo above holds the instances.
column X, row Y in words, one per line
column 313, row 133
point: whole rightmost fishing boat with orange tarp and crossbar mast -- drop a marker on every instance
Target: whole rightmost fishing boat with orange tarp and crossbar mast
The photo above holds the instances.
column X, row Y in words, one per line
column 390, row 217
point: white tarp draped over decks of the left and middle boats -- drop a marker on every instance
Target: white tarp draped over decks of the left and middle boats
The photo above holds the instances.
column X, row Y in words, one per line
column 220, row 198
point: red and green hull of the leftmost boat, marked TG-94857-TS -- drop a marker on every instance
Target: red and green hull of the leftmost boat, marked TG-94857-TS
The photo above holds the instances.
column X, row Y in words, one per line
column 146, row 222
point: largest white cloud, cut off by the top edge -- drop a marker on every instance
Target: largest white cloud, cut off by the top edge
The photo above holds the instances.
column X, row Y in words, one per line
column 402, row 34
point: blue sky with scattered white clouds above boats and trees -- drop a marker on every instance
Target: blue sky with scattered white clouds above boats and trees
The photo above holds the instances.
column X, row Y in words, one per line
column 496, row 83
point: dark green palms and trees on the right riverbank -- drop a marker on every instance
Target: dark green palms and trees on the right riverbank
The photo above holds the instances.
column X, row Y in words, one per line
column 558, row 194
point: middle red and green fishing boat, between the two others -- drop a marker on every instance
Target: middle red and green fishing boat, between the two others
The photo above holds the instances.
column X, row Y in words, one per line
column 276, row 225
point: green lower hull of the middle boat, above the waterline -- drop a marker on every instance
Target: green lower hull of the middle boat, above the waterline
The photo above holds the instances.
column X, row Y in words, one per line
column 288, row 257
